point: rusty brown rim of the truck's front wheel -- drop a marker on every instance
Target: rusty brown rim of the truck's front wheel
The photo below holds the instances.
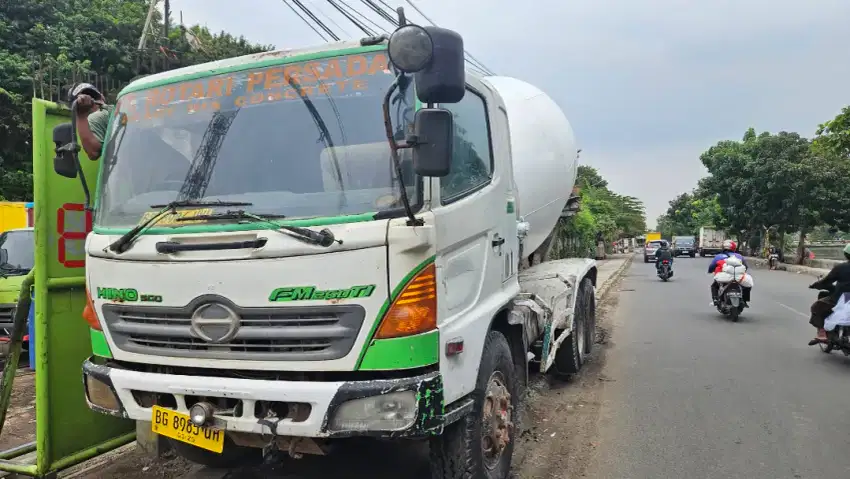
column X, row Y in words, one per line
column 497, row 420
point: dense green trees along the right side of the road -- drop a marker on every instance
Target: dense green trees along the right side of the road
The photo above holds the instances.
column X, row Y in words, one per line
column 767, row 182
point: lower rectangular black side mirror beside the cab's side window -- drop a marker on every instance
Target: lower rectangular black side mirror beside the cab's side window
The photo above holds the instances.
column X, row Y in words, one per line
column 434, row 134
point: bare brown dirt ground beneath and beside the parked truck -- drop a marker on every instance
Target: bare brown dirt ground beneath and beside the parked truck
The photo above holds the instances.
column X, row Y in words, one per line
column 559, row 427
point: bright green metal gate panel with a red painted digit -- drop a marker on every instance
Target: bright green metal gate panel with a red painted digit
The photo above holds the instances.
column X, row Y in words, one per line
column 67, row 430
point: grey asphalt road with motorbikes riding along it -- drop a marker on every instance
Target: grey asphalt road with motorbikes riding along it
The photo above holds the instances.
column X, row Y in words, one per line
column 691, row 394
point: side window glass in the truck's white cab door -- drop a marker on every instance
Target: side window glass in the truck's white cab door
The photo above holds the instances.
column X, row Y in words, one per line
column 472, row 159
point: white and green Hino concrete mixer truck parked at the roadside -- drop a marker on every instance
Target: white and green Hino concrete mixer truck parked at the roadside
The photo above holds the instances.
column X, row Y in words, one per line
column 295, row 248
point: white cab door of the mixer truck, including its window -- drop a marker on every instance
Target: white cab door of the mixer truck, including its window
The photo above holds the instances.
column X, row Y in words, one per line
column 477, row 235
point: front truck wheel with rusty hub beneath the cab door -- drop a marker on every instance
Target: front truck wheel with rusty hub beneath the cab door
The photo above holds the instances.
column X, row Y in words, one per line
column 481, row 444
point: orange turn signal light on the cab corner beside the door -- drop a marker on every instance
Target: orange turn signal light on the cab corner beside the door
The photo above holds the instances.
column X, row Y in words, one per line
column 414, row 310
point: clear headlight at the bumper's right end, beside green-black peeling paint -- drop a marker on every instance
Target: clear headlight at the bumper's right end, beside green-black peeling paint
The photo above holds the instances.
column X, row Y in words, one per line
column 387, row 412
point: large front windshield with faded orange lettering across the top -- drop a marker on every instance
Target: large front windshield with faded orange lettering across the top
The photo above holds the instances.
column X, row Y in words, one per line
column 298, row 140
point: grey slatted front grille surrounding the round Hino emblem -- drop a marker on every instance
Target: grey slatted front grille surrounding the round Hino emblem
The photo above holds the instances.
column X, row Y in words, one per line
column 294, row 333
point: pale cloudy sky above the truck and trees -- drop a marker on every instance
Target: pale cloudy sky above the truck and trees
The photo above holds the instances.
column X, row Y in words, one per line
column 647, row 85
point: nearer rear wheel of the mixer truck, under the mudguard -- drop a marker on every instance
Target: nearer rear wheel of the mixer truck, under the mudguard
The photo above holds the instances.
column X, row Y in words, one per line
column 569, row 358
